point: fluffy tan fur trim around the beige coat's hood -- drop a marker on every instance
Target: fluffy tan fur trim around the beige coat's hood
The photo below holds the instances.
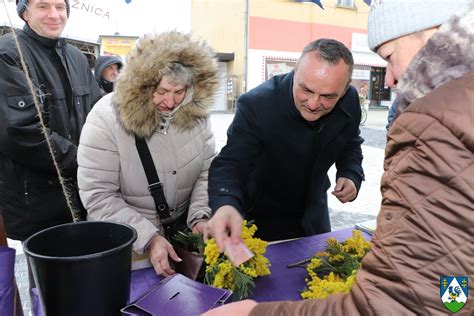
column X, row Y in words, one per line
column 143, row 71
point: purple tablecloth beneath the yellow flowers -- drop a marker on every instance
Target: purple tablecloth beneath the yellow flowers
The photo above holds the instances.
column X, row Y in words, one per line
column 282, row 284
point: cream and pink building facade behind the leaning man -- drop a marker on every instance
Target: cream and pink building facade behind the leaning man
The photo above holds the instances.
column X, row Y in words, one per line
column 267, row 37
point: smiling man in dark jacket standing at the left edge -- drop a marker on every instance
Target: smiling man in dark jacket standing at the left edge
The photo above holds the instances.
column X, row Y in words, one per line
column 31, row 196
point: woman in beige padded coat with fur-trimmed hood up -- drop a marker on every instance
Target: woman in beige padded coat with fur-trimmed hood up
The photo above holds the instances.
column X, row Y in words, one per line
column 162, row 97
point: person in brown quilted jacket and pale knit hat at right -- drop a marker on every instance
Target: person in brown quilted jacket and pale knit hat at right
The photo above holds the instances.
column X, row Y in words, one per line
column 425, row 225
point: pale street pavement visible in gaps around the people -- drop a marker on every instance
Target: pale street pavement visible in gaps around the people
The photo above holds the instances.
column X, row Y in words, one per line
column 365, row 207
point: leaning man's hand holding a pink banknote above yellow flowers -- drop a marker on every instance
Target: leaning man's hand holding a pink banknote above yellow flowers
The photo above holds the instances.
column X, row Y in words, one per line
column 226, row 220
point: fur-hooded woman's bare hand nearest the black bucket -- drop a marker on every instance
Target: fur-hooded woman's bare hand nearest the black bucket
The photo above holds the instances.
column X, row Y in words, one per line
column 159, row 250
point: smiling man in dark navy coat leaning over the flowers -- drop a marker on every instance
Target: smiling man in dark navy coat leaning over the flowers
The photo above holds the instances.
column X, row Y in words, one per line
column 285, row 136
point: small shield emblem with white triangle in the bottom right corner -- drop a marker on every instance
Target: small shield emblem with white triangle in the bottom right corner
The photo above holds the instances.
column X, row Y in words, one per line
column 453, row 291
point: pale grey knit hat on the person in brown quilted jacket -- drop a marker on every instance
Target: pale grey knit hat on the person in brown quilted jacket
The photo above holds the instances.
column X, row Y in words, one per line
column 390, row 19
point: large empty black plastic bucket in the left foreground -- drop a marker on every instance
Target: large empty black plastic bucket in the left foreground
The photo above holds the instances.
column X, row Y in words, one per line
column 82, row 268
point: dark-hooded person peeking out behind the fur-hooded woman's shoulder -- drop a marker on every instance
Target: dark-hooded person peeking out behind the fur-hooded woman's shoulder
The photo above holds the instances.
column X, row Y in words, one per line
column 106, row 71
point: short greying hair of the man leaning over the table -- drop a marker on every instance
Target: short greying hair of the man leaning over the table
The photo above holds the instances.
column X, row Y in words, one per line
column 331, row 51
